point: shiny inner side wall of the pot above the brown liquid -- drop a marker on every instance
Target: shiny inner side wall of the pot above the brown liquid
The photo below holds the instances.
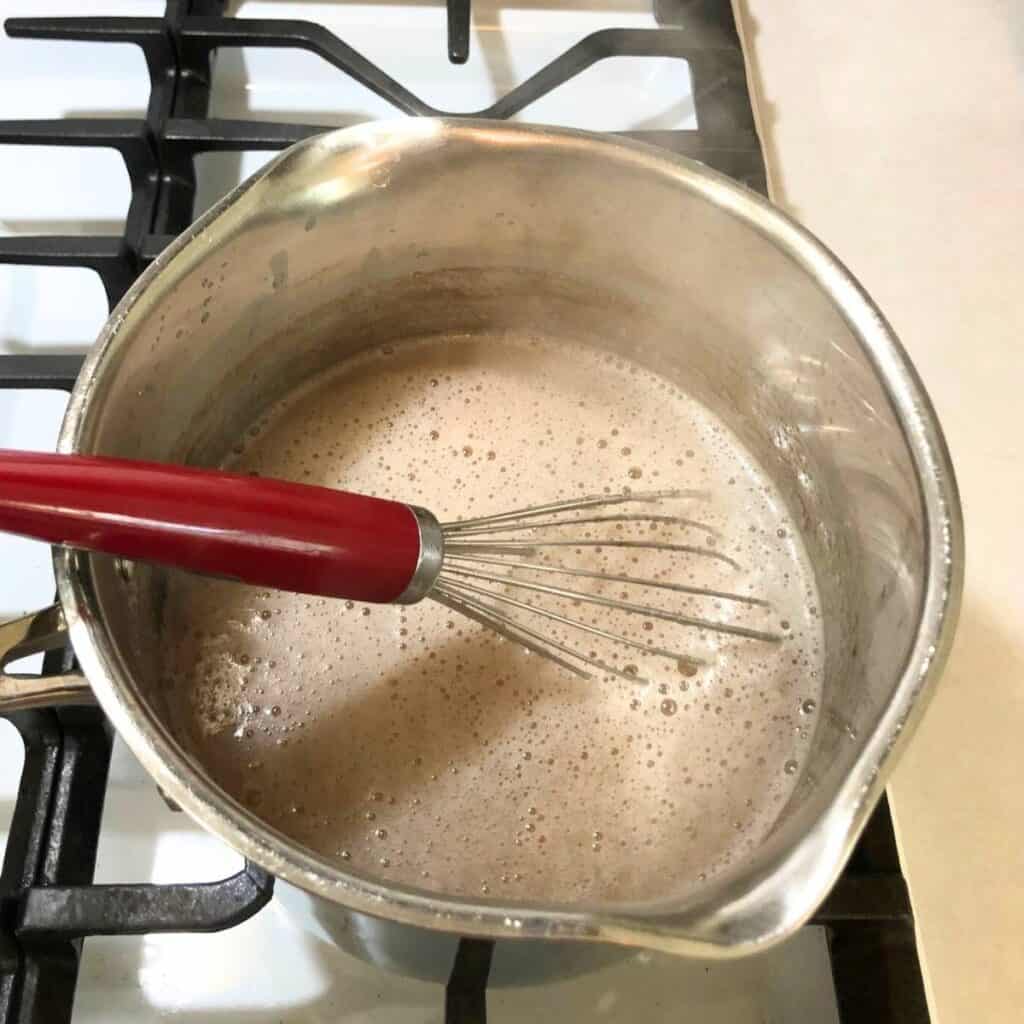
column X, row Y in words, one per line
column 339, row 248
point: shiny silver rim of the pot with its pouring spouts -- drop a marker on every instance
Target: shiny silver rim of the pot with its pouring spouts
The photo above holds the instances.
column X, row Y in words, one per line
column 734, row 915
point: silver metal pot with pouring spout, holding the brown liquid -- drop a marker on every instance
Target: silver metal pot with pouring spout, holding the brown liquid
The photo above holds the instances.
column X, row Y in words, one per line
column 386, row 232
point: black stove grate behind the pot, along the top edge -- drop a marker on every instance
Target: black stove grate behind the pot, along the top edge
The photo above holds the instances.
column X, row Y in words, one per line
column 159, row 151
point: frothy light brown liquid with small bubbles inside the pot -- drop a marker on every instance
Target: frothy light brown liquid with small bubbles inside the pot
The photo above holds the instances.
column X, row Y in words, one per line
column 415, row 746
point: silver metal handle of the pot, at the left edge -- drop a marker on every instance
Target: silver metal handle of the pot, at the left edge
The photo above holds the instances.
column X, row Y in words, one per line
column 32, row 634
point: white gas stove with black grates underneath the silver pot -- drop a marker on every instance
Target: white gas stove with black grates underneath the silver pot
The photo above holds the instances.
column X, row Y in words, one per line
column 142, row 119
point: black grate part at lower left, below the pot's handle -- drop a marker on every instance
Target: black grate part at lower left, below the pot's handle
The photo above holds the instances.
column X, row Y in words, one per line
column 48, row 902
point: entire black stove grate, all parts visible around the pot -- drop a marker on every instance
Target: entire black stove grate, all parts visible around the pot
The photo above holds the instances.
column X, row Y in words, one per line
column 48, row 902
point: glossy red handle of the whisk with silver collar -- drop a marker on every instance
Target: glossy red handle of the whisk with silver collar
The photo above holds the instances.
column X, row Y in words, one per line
column 267, row 533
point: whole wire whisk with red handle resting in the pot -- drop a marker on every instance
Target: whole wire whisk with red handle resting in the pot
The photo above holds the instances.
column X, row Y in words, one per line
column 496, row 570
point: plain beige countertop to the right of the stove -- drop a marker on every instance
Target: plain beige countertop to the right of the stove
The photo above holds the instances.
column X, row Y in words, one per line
column 895, row 132
